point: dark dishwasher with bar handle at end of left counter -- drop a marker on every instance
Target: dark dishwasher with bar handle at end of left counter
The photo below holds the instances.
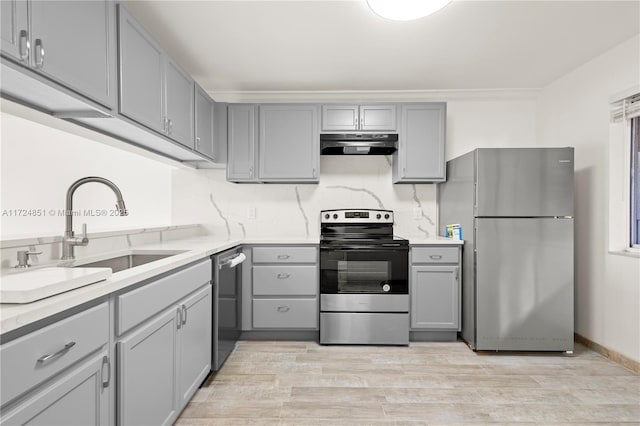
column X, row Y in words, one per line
column 227, row 279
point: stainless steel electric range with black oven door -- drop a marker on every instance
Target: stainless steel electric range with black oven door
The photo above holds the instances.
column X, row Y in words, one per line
column 364, row 286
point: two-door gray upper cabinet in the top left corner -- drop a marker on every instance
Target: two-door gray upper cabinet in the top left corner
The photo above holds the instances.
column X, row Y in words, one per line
column 70, row 42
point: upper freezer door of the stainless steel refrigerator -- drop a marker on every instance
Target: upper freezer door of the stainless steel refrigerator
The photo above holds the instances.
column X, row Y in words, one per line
column 524, row 182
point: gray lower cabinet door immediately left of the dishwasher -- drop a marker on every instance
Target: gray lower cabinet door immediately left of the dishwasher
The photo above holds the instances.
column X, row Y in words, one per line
column 194, row 344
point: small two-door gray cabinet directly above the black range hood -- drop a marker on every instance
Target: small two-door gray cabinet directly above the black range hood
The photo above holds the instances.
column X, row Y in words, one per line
column 375, row 117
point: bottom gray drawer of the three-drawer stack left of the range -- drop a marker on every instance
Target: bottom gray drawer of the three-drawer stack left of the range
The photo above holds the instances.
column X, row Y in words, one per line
column 285, row 313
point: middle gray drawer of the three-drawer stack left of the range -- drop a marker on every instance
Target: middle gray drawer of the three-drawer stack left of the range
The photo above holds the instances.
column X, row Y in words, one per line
column 285, row 280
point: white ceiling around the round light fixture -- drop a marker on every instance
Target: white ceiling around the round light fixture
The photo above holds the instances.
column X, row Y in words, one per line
column 239, row 45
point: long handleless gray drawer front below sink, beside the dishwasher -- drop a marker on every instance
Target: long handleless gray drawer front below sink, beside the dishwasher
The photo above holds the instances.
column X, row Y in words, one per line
column 136, row 306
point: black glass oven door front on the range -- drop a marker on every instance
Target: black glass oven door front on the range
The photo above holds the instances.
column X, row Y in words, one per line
column 364, row 269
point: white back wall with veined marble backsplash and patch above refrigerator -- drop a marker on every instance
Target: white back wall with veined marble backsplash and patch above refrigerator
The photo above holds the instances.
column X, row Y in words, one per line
column 348, row 181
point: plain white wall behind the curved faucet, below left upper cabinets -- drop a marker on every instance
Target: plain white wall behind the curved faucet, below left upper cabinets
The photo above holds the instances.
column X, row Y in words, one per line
column 39, row 162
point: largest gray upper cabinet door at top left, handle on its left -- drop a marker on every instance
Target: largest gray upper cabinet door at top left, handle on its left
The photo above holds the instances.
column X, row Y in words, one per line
column 74, row 42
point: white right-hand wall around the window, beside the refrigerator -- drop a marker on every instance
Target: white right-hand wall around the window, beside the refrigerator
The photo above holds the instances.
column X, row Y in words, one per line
column 574, row 111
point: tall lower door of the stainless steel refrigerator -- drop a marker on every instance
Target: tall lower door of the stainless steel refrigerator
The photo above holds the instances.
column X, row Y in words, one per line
column 524, row 284
